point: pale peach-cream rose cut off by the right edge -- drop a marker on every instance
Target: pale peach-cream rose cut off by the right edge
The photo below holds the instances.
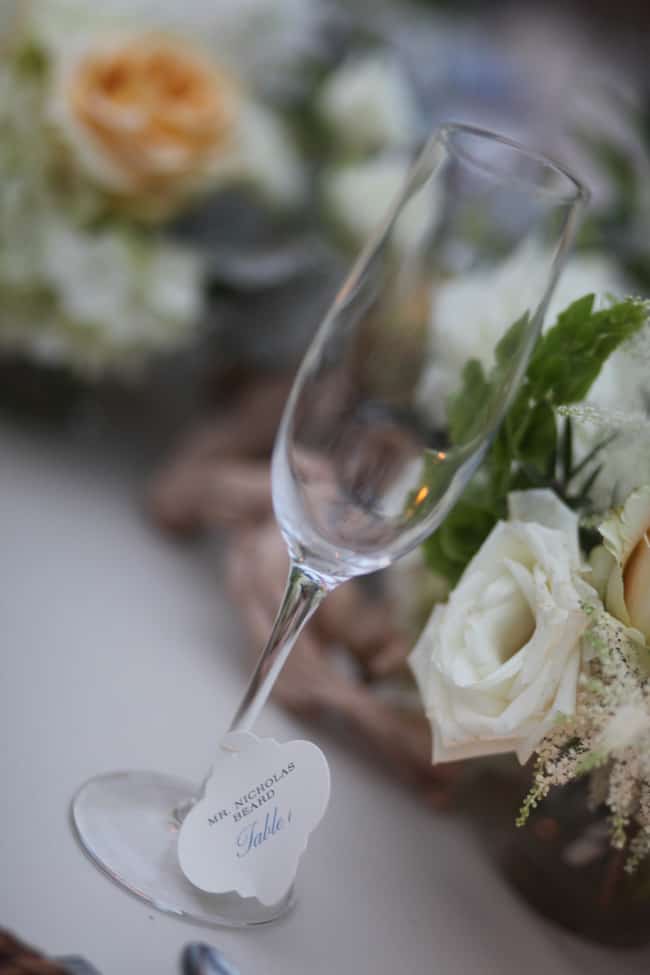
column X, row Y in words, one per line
column 621, row 565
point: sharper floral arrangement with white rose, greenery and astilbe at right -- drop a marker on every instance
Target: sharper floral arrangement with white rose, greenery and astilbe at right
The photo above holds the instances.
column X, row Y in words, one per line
column 542, row 647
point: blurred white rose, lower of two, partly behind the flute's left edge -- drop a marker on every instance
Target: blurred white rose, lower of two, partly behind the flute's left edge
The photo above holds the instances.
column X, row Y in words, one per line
column 359, row 195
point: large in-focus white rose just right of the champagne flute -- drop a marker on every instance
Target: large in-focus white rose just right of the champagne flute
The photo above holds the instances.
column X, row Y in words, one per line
column 500, row 660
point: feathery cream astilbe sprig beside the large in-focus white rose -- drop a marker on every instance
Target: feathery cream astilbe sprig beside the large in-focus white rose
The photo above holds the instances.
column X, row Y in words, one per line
column 608, row 737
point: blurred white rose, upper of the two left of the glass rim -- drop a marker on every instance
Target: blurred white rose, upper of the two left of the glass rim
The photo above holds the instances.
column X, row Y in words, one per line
column 368, row 105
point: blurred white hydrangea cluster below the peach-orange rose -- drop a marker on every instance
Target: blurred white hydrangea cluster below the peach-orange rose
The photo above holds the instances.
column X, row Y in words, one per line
column 102, row 301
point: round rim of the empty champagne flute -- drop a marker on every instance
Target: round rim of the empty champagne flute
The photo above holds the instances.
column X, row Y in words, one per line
column 576, row 191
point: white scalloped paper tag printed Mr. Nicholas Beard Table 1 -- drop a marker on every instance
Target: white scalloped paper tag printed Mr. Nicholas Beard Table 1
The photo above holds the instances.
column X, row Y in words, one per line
column 261, row 803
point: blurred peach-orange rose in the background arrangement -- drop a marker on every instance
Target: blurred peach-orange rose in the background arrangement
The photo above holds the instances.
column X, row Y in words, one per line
column 146, row 118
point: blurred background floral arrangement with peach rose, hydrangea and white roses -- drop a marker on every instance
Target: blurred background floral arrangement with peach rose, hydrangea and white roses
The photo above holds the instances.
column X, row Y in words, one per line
column 122, row 123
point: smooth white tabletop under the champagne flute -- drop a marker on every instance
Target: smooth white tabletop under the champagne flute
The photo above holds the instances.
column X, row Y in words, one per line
column 121, row 650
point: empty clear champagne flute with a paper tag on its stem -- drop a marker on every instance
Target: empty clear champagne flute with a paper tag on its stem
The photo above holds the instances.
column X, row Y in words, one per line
column 364, row 468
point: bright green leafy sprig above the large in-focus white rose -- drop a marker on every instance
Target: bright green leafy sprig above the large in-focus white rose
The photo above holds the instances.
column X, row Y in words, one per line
column 528, row 451
